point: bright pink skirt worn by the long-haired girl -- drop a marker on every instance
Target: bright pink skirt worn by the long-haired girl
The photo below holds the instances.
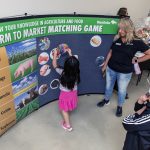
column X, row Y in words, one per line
column 68, row 100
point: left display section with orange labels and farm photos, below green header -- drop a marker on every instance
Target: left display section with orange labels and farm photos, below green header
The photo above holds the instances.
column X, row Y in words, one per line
column 18, row 82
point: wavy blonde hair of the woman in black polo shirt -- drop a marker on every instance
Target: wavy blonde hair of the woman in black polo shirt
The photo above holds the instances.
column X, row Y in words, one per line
column 128, row 27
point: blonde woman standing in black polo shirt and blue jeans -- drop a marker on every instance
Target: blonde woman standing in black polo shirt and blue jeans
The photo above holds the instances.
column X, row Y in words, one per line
column 119, row 62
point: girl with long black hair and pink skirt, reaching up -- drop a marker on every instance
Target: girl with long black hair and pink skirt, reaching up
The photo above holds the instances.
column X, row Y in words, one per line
column 70, row 77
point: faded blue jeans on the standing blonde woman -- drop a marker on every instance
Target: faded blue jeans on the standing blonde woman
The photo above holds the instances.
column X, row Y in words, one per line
column 123, row 80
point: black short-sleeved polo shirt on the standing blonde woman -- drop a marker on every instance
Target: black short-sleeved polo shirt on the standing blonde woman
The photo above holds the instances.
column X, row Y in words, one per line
column 122, row 54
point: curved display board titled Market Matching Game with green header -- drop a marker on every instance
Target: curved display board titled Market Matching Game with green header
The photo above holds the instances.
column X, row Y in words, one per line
column 27, row 79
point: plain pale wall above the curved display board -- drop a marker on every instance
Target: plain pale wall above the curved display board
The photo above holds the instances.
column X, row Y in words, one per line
column 136, row 8
